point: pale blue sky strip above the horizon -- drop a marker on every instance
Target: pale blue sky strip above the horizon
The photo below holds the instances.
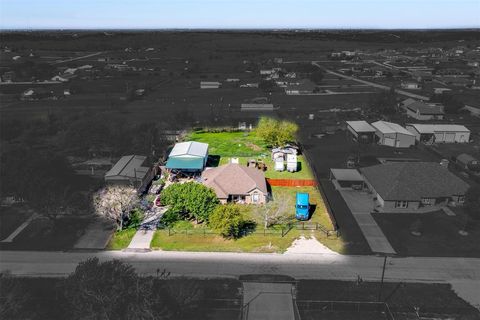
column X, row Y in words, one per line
column 239, row 14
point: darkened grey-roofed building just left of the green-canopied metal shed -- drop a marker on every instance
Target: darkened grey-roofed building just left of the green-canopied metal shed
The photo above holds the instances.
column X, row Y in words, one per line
column 130, row 170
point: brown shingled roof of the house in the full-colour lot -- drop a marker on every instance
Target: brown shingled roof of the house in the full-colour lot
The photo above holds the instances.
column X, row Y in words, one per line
column 234, row 179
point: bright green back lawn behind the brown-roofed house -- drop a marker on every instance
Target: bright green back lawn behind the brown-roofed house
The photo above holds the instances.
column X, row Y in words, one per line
column 230, row 144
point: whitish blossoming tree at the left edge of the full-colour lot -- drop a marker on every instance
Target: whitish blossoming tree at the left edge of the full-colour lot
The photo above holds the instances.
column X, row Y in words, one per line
column 115, row 203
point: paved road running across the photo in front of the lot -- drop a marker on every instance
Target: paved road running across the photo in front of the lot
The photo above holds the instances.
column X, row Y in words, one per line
column 213, row 265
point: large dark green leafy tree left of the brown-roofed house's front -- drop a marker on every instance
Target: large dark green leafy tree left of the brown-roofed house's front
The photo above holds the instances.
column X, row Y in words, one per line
column 191, row 199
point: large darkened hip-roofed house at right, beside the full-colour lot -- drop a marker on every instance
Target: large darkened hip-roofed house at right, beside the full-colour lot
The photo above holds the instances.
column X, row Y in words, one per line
column 410, row 186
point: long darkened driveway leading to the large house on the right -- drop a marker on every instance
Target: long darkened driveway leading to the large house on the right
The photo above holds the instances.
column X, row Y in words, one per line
column 361, row 205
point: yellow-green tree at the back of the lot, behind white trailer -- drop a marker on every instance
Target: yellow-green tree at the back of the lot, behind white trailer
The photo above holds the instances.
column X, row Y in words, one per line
column 275, row 132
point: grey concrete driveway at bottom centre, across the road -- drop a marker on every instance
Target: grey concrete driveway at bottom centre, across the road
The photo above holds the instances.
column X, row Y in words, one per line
column 267, row 301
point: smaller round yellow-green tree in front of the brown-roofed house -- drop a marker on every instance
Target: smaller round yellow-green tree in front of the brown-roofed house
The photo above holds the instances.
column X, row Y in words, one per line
column 229, row 220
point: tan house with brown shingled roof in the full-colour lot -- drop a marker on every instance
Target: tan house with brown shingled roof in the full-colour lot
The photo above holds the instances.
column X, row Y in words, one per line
column 236, row 183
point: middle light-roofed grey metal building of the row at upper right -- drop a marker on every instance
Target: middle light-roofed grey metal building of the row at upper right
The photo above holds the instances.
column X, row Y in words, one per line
column 393, row 135
